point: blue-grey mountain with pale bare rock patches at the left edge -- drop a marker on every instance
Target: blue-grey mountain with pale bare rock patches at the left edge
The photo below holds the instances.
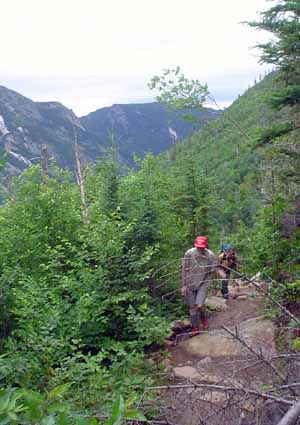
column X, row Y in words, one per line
column 26, row 125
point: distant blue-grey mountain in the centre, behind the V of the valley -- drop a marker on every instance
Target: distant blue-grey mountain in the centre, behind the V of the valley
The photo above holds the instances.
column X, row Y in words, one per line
column 141, row 128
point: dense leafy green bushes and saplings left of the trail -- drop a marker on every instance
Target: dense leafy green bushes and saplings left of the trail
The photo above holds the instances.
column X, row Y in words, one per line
column 74, row 298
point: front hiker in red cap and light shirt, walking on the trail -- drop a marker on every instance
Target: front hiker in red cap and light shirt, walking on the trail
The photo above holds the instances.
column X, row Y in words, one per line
column 198, row 266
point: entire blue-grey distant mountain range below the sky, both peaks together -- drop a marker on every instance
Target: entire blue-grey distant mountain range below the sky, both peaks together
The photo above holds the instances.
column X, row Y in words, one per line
column 26, row 125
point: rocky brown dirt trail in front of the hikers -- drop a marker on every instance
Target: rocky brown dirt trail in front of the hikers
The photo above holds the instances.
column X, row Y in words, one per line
column 202, row 366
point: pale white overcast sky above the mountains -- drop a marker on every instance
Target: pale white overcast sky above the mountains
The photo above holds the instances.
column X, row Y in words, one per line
column 93, row 53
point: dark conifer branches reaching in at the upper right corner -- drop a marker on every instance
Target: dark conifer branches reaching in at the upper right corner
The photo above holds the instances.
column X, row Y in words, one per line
column 283, row 21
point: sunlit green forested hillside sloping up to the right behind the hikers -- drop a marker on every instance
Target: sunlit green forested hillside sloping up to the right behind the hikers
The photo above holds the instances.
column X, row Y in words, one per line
column 224, row 162
